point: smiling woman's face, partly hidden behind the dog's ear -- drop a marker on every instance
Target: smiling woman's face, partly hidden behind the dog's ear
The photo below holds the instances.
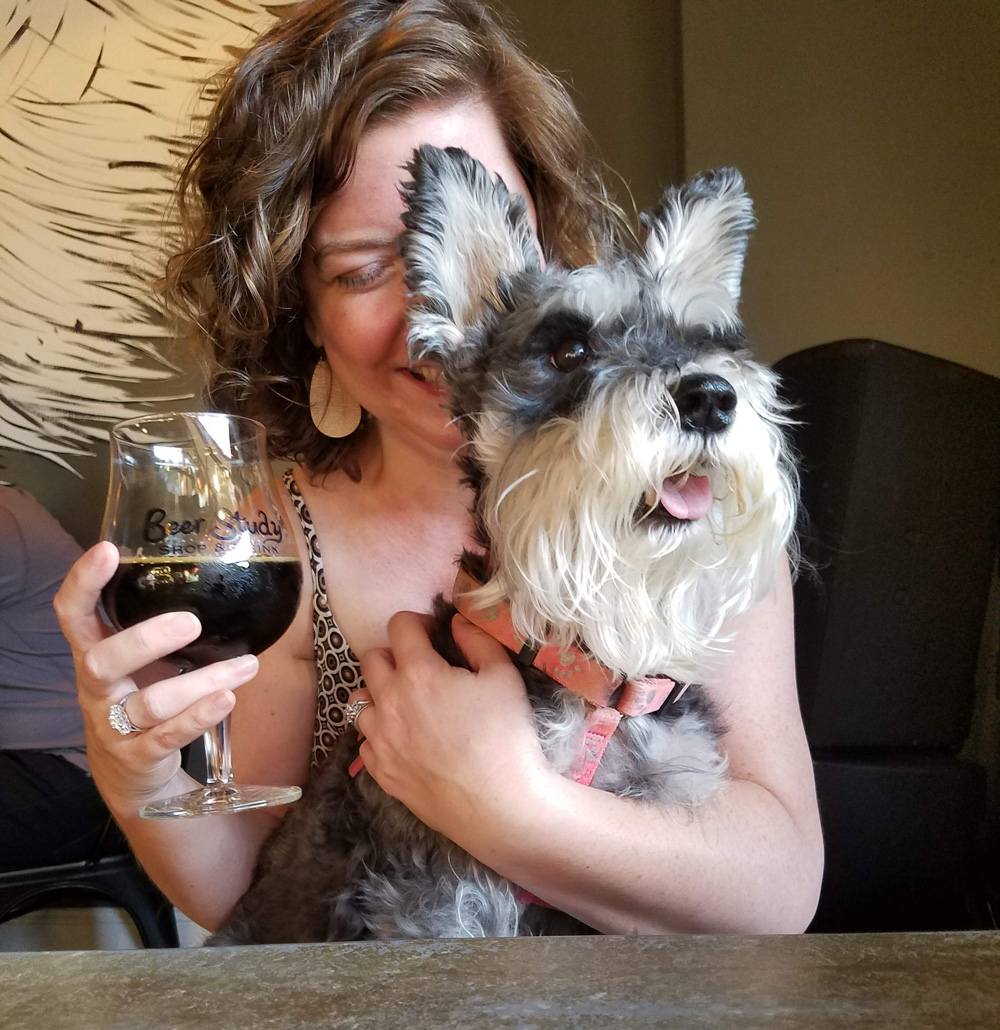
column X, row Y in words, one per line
column 354, row 280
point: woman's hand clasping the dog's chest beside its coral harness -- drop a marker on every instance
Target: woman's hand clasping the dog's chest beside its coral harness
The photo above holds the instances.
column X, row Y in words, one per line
column 455, row 746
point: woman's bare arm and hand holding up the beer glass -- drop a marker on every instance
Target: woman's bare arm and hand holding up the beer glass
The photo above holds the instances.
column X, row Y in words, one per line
column 203, row 866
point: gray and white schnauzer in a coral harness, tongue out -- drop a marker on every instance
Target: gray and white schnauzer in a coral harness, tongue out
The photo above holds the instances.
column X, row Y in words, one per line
column 633, row 491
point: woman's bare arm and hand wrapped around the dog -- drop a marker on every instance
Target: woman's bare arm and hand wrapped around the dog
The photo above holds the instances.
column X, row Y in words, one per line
column 748, row 863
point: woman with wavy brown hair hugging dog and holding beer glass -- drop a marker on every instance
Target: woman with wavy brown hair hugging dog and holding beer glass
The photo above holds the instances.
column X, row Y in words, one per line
column 291, row 270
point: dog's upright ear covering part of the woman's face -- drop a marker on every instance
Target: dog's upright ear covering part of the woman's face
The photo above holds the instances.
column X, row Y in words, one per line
column 466, row 236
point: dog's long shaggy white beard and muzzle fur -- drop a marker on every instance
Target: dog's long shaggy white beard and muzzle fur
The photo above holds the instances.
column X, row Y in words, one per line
column 575, row 559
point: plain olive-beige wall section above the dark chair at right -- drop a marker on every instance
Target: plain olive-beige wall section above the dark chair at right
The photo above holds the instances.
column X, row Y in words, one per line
column 869, row 132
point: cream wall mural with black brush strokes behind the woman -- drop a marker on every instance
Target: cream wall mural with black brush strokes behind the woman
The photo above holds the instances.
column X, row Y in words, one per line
column 97, row 104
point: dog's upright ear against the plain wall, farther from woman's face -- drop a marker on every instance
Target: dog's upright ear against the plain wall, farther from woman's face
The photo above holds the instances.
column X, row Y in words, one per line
column 696, row 245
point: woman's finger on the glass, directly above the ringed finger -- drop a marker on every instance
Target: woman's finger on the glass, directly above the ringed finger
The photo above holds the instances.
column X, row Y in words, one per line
column 120, row 656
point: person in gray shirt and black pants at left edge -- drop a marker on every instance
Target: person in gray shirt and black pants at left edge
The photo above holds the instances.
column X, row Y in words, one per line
column 51, row 812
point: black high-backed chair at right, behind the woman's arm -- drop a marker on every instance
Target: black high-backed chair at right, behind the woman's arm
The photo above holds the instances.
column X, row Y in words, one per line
column 901, row 472
